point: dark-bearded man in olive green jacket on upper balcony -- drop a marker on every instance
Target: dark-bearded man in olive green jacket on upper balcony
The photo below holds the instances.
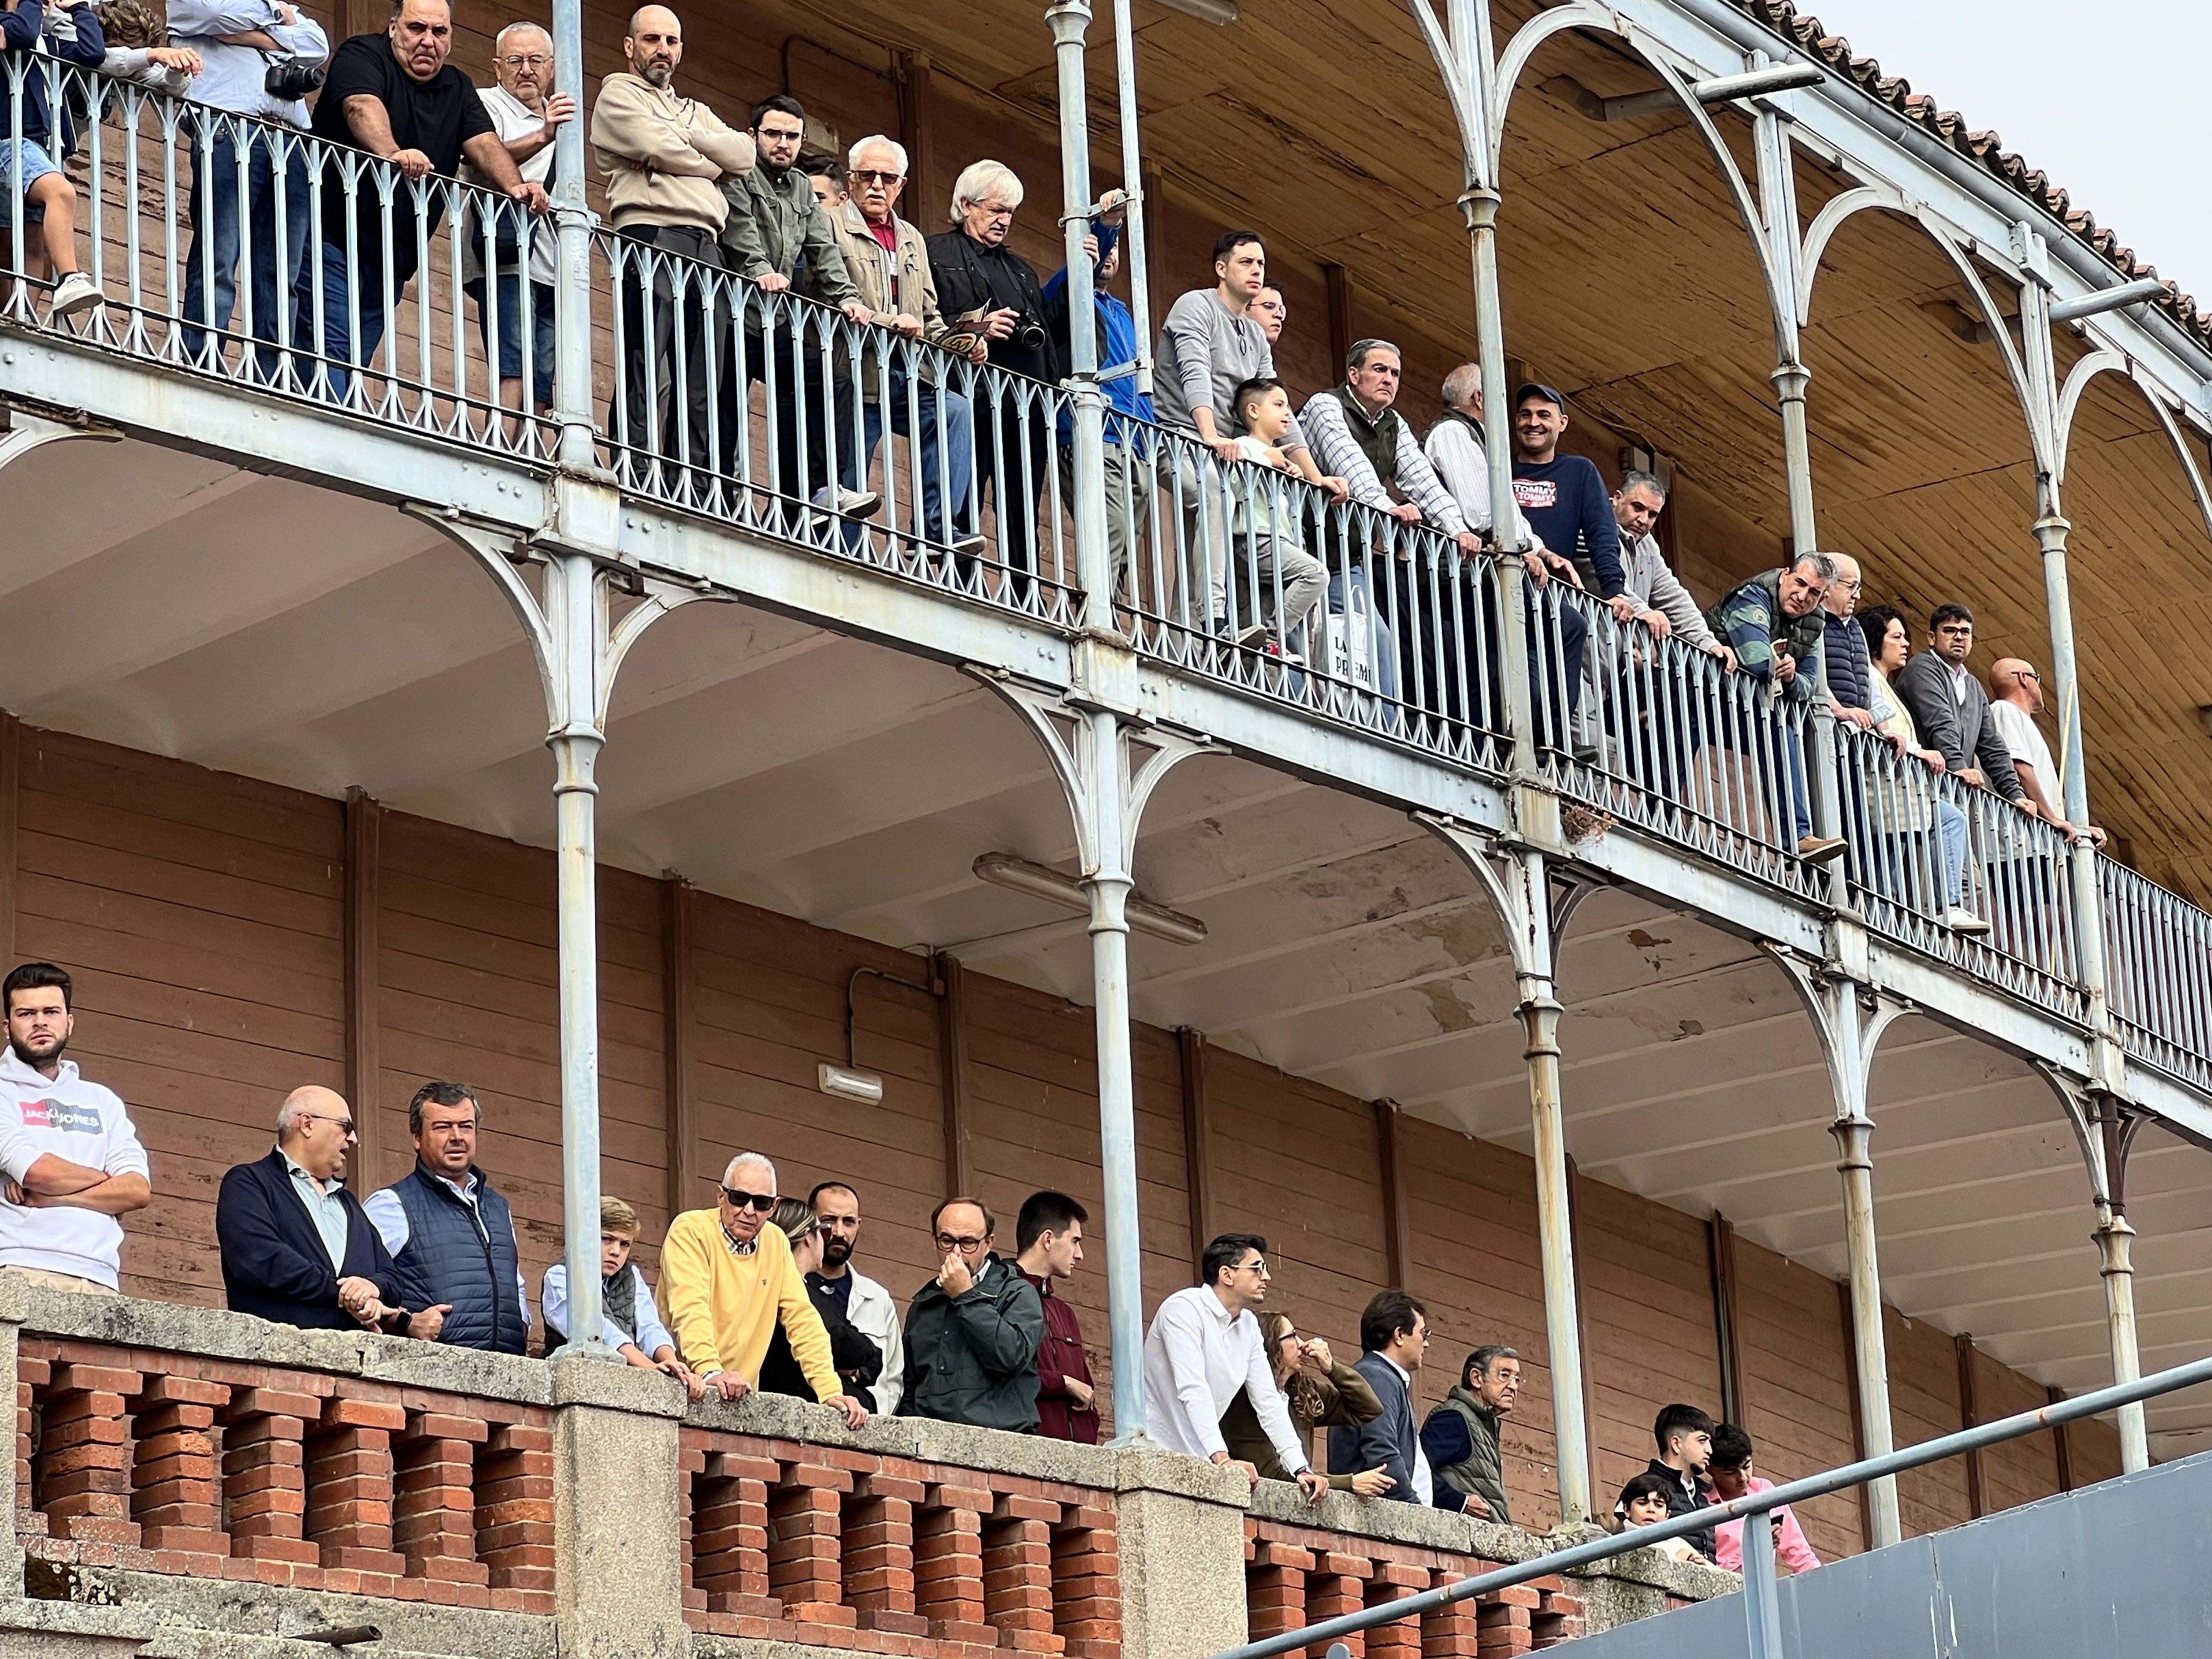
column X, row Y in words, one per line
column 782, row 247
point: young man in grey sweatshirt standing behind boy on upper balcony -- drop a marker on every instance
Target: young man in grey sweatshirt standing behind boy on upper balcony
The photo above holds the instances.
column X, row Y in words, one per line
column 1209, row 346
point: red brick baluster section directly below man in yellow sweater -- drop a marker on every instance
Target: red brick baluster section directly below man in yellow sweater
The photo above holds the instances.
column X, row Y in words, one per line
column 884, row 1554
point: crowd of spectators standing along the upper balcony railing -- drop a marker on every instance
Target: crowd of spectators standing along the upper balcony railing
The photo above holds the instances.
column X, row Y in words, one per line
column 1220, row 437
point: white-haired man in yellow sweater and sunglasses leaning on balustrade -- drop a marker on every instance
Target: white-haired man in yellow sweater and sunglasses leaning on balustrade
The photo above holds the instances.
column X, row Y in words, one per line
column 729, row 1282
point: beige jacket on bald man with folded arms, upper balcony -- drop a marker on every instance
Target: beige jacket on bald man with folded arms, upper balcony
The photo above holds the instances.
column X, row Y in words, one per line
column 665, row 156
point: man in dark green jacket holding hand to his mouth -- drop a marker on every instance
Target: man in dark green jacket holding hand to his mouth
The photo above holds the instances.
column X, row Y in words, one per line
column 974, row 1331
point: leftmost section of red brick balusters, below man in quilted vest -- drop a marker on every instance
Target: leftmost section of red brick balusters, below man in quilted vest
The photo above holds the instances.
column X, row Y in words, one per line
column 209, row 1468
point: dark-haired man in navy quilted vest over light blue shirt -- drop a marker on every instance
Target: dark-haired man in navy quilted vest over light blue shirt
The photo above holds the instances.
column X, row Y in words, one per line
column 450, row 1235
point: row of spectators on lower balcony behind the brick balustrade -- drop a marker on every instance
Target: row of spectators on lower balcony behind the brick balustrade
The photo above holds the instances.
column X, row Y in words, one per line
column 762, row 1293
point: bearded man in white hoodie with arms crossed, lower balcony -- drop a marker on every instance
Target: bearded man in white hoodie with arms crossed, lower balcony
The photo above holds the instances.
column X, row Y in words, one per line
column 67, row 1149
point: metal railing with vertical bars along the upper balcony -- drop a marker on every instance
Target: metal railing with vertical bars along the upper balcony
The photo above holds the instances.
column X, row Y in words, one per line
column 249, row 251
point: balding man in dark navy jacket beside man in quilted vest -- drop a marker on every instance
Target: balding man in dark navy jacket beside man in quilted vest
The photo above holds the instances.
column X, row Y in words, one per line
column 298, row 1246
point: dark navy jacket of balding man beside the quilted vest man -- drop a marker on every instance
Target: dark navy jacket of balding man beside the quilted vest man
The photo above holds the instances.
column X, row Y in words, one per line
column 275, row 1264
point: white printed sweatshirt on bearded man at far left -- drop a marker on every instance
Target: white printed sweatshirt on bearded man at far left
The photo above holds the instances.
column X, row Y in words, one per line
column 85, row 1125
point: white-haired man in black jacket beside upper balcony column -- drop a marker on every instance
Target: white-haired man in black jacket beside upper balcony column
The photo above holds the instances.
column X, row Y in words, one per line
column 990, row 291
